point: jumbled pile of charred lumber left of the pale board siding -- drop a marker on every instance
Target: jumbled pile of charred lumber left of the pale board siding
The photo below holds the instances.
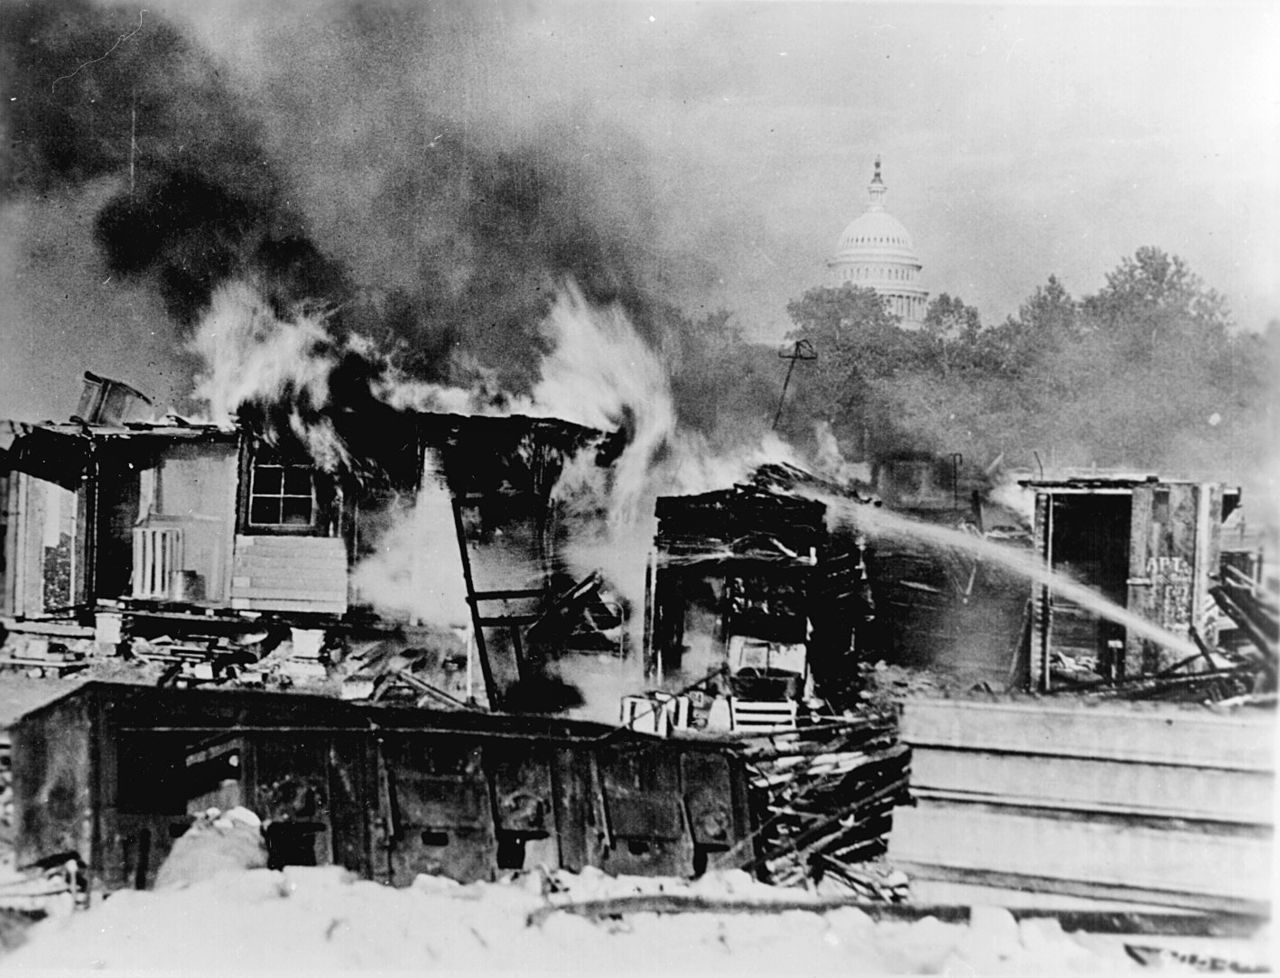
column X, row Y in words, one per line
column 825, row 796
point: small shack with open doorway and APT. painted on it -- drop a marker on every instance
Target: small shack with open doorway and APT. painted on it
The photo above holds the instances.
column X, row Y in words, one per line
column 1149, row 546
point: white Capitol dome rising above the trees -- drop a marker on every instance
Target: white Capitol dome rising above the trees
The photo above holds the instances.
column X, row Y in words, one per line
column 876, row 252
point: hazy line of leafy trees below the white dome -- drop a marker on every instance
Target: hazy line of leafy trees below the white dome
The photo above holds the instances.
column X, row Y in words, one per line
column 1149, row 373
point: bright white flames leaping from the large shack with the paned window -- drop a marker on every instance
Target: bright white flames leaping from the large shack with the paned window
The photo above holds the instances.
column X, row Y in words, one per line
column 600, row 374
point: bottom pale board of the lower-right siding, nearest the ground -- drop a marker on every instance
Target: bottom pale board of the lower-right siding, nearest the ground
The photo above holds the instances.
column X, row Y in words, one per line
column 1096, row 852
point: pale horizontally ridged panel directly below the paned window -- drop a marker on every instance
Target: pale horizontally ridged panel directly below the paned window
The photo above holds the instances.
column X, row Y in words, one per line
column 307, row 574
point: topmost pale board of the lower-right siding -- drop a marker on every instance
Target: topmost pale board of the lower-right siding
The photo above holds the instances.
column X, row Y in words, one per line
column 1146, row 733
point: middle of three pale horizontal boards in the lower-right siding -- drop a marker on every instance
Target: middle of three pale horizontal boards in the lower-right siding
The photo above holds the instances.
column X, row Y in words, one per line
column 1086, row 785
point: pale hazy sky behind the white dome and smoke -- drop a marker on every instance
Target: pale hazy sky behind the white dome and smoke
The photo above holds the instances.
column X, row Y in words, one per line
column 728, row 144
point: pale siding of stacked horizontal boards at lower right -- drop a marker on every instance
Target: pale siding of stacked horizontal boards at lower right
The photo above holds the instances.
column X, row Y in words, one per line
column 1158, row 805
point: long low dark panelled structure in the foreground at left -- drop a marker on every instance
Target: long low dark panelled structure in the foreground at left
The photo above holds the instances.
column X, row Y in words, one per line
column 111, row 775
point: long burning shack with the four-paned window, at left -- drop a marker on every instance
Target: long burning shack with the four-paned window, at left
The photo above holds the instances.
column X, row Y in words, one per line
column 118, row 532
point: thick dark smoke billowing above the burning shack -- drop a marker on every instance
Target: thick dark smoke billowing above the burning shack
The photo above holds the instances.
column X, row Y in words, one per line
column 441, row 243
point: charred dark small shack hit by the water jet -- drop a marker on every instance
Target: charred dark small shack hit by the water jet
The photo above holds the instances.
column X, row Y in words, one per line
column 749, row 582
